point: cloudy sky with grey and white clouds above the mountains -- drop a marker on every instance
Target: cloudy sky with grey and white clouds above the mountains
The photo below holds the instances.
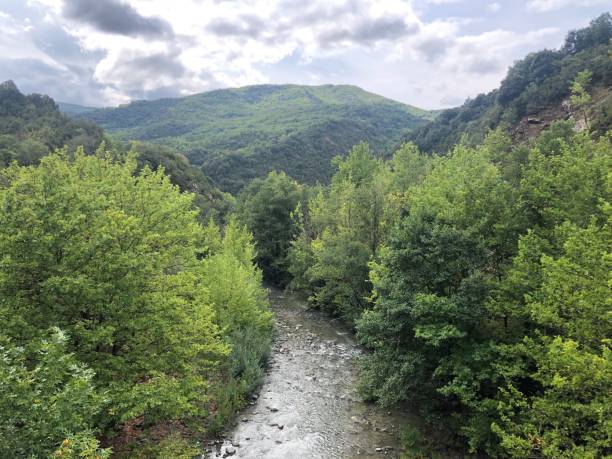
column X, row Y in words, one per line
column 429, row 53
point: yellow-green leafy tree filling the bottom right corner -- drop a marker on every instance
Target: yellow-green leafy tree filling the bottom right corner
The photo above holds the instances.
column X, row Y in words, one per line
column 569, row 416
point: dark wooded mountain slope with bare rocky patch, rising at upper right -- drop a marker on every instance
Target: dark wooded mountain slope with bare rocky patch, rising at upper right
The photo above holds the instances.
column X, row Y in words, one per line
column 533, row 94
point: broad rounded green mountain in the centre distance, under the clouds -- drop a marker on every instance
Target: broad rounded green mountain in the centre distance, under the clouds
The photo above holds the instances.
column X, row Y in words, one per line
column 239, row 134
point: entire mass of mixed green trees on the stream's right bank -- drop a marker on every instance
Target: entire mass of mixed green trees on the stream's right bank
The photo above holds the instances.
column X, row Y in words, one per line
column 481, row 282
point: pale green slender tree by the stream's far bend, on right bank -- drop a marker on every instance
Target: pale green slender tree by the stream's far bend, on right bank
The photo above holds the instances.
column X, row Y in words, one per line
column 343, row 227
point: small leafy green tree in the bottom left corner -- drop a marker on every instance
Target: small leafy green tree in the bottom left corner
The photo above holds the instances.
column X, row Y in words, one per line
column 48, row 401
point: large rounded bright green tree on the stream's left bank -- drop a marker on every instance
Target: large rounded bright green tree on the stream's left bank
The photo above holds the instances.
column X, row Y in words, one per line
column 111, row 257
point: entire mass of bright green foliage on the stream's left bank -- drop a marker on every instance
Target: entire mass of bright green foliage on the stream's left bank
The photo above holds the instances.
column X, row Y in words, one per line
column 161, row 319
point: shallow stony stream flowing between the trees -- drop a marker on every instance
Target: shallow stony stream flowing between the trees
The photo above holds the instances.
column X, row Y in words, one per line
column 308, row 406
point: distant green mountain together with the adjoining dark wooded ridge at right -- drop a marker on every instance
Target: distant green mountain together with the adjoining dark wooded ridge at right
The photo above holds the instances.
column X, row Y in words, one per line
column 235, row 135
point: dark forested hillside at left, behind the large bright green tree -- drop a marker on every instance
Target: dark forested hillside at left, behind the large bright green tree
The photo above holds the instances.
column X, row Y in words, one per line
column 32, row 127
